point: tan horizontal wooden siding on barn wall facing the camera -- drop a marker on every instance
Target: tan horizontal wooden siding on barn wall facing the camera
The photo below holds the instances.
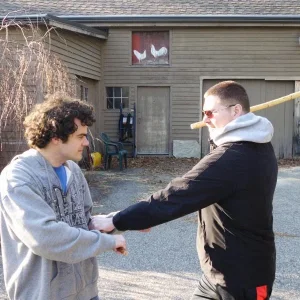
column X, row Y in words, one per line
column 198, row 52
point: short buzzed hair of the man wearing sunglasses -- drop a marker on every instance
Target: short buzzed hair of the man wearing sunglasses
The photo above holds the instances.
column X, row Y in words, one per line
column 230, row 92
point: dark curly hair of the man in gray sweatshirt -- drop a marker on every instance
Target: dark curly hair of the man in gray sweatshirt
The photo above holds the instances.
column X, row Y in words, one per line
column 55, row 118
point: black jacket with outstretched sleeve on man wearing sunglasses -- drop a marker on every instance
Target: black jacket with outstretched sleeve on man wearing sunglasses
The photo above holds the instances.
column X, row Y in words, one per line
column 232, row 188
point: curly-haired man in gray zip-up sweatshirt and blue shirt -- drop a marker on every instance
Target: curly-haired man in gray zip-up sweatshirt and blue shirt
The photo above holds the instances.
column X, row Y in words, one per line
column 48, row 250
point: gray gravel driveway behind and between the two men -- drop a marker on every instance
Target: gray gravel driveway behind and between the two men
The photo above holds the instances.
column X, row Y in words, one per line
column 163, row 264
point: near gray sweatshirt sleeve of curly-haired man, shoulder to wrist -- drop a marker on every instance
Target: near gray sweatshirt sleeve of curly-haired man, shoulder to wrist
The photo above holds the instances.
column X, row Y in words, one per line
column 36, row 226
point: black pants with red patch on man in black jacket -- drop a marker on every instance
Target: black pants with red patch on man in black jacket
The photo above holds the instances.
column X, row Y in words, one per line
column 209, row 291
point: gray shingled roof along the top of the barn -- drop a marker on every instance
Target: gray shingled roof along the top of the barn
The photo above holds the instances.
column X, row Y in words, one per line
column 150, row 7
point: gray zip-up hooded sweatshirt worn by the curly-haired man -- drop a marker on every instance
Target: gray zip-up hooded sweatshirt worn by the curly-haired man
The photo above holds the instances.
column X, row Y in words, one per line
column 47, row 250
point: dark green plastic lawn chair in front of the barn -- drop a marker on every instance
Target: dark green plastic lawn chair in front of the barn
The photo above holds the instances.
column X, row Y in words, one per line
column 111, row 149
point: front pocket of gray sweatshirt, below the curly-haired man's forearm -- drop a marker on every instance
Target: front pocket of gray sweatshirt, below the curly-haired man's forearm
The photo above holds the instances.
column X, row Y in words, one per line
column 63, row 283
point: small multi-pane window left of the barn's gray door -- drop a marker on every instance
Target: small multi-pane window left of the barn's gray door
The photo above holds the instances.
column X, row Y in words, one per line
column 117, row 96
